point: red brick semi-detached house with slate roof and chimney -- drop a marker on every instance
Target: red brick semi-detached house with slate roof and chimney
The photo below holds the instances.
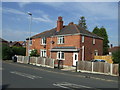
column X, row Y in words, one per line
column 69, row 43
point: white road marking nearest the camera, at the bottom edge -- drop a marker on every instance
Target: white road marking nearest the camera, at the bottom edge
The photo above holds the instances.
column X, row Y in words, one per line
column 69, row 85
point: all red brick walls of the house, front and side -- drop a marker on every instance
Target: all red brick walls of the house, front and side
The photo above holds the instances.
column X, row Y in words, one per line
column 71, row 40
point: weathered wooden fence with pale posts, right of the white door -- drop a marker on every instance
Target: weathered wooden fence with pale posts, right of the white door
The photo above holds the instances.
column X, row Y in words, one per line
column 100, row 67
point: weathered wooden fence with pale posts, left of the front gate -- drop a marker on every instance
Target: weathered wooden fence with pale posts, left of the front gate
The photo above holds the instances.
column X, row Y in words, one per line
column 38, row 61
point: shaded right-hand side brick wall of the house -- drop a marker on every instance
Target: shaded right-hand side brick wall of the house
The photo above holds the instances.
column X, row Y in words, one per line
column 90, row 47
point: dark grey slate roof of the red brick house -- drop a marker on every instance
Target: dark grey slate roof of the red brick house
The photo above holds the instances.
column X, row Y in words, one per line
column 69, row 29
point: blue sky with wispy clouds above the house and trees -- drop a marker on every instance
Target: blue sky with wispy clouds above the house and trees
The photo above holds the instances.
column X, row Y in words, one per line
column 15, row 20
